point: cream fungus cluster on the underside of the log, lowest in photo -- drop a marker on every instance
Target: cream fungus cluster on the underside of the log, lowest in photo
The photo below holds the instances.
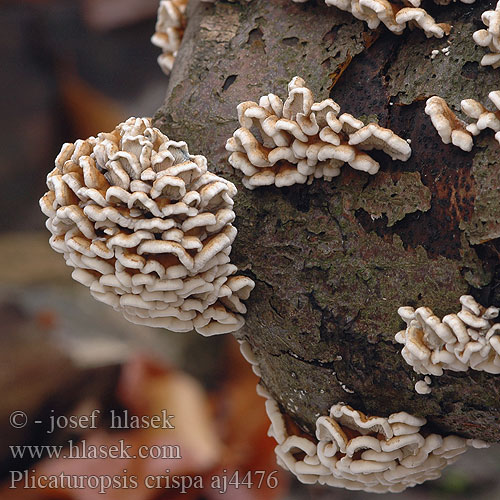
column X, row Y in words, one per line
column 361, row 452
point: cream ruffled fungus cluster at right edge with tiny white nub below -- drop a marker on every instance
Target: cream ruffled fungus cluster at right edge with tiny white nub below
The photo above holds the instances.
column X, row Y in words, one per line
column 458, row 342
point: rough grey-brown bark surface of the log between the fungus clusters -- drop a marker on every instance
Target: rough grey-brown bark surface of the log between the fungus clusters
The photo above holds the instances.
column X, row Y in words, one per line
column 333, row 261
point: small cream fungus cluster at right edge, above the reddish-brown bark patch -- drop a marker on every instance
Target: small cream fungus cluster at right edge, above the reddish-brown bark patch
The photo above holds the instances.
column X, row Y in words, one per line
column 452, row 129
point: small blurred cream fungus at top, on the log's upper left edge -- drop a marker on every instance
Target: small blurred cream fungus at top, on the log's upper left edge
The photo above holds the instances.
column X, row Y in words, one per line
column 169, row 30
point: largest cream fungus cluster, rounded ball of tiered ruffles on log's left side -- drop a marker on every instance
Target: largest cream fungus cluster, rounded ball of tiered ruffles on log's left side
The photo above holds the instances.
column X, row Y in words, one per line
column 148, row 229
